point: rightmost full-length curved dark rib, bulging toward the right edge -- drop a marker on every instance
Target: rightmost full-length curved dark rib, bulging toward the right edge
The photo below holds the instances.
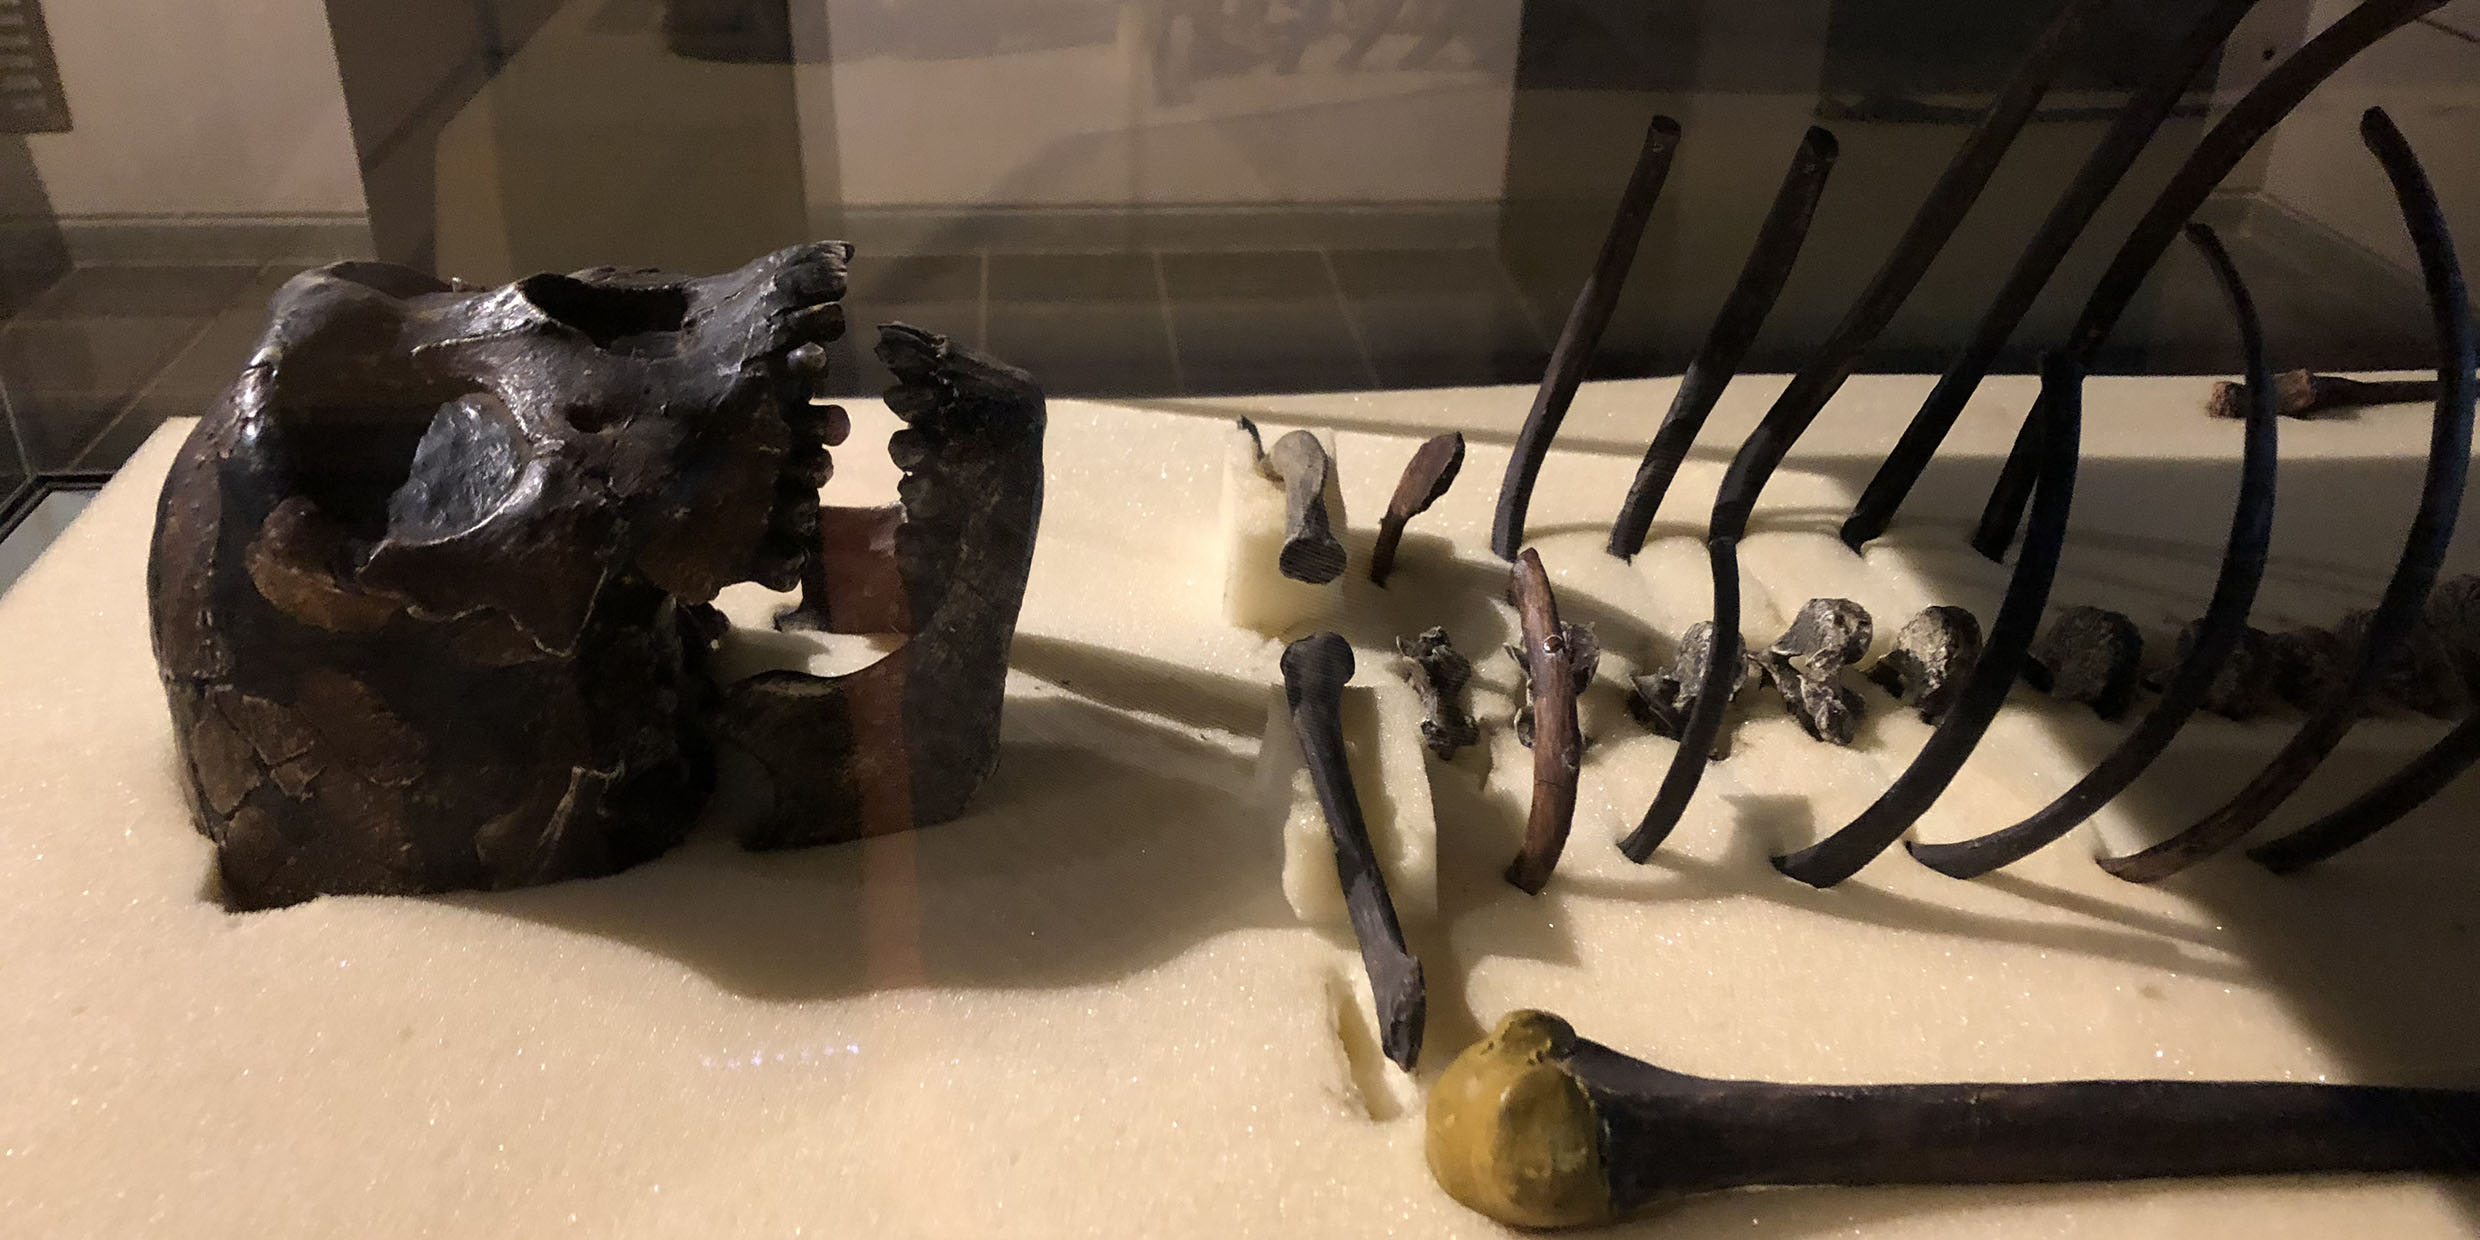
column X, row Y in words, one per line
column 2442, row 497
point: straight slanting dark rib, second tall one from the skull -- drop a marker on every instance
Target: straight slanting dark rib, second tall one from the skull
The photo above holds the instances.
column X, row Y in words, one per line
column 1742, row 314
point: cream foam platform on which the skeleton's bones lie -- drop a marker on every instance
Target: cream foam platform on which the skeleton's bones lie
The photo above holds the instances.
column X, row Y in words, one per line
column 1087, row 1011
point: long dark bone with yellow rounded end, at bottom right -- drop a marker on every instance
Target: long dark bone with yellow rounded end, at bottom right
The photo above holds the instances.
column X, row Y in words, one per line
column 1539, row 1127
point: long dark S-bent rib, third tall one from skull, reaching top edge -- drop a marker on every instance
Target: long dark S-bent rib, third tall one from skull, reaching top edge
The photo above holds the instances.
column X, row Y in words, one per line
column 1953, row 195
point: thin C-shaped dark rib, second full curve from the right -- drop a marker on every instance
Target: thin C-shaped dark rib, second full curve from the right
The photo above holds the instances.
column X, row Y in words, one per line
column 2221, row 631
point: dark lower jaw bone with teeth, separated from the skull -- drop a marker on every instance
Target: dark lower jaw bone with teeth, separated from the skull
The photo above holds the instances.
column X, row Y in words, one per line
column 906, row 740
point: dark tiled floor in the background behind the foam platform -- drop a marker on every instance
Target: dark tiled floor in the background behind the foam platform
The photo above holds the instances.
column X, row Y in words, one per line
column 113, row 351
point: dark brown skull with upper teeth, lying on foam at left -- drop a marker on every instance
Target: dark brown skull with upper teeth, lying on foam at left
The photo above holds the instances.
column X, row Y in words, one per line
column 430, row 584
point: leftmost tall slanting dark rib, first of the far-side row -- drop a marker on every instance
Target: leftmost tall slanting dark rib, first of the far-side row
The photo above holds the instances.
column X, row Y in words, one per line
column 1583, row 334
